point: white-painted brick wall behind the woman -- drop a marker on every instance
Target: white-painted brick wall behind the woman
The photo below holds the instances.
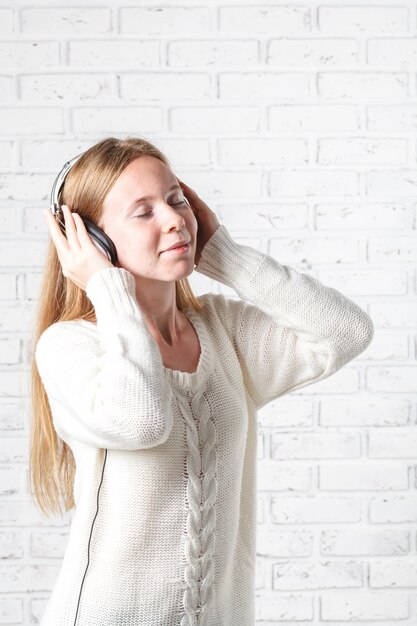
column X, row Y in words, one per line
column 296, row 122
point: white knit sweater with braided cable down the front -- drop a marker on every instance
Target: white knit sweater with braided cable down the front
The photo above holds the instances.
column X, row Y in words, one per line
column 163, row 532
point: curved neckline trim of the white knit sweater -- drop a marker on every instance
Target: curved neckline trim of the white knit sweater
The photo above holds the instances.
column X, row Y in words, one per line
column 191, row 380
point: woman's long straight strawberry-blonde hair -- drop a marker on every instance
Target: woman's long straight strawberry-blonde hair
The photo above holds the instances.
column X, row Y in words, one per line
column 51, row 462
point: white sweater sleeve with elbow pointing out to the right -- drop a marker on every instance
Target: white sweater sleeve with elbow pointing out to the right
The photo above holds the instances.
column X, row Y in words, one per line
column 294, row 331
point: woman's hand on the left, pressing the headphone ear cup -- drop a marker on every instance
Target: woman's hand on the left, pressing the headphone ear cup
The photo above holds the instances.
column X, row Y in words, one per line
column 78, row 255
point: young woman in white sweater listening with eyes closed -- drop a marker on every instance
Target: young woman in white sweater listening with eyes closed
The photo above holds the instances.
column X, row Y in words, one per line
column 145, row 397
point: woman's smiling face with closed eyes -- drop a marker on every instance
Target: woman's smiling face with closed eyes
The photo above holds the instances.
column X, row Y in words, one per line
column 142, row 230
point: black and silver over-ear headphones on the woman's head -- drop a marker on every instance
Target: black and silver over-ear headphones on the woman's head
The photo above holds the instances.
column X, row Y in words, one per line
column 98, row 236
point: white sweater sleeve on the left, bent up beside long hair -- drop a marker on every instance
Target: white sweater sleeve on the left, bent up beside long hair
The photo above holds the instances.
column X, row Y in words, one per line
column 105, row 383
